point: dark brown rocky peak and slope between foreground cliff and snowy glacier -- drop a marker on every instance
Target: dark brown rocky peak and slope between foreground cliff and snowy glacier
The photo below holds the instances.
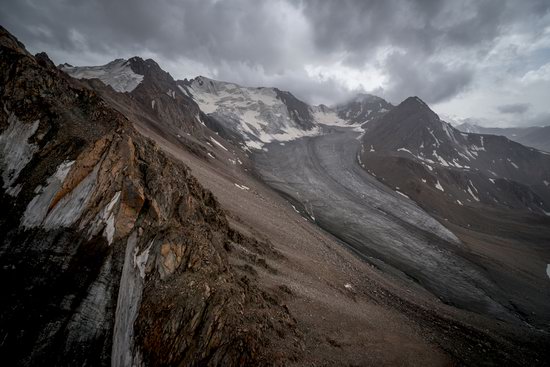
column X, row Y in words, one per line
column 160, row 105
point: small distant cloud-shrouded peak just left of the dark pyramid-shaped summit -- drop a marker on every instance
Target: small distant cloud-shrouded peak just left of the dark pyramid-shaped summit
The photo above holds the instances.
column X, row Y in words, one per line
column 363, row 108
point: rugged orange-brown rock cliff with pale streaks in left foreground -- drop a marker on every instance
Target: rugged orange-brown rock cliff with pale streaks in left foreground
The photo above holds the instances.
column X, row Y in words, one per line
column 110, row 251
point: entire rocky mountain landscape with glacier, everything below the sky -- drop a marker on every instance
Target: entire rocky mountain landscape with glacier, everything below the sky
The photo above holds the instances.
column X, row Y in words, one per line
column 154, row 221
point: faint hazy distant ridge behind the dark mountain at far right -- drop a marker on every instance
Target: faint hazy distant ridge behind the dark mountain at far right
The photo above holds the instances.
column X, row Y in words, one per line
column 533, row 136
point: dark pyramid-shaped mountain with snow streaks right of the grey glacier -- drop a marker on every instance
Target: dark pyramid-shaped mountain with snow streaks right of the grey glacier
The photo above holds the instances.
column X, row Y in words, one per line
column 491, row 192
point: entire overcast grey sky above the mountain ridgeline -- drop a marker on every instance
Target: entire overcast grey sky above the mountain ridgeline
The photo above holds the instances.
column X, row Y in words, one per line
column 488, row 61
